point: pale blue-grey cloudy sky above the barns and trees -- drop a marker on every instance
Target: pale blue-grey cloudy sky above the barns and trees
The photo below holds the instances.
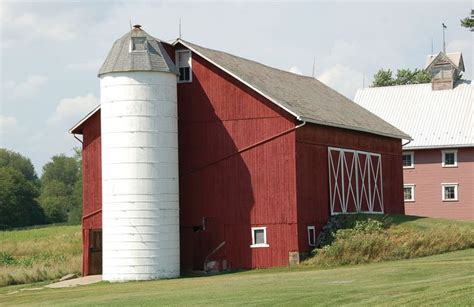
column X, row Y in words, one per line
column 51, row 51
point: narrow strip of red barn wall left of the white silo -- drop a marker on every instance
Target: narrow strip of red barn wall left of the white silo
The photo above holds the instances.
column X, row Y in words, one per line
column 92, row 184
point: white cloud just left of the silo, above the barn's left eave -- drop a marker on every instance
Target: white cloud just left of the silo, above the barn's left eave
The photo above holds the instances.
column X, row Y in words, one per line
column 70, row 109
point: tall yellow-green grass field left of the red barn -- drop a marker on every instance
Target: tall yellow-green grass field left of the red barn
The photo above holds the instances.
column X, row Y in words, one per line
column 38, row 254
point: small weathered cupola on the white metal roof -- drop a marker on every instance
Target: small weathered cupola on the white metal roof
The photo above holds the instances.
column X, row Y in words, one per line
column 445, row 69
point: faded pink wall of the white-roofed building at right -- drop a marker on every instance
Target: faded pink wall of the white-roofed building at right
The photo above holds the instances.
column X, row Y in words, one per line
column 428, row 175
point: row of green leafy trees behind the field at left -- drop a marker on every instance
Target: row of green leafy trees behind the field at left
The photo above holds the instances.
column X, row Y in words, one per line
column 26, row 199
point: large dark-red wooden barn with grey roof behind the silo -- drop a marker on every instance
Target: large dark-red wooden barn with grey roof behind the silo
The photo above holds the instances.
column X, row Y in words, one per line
column 265, row 158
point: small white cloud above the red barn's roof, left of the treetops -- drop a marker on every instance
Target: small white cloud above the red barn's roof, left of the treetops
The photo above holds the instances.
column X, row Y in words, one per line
column 343, row 79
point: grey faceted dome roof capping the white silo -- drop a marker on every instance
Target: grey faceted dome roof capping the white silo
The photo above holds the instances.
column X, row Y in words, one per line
column 137, row 51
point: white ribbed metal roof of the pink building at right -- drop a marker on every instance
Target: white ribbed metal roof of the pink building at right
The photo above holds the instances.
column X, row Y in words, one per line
column 434, row 119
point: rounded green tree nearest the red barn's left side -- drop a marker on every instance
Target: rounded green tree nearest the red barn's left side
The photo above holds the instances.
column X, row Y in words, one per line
column 57, row 188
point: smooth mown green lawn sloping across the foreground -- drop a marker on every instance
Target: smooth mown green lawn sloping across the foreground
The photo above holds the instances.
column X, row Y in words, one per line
column 446, row 279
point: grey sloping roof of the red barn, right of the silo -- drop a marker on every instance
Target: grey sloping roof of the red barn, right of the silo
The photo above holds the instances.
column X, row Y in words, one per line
column 305, row 97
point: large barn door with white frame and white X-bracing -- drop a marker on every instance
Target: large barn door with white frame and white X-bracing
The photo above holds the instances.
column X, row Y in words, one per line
column 355, row 181
